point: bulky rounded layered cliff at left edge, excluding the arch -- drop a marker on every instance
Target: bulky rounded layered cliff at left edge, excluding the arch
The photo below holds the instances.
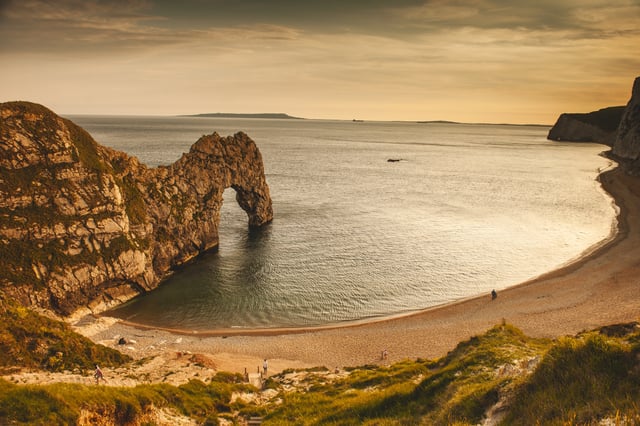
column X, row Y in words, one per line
column 62, row 213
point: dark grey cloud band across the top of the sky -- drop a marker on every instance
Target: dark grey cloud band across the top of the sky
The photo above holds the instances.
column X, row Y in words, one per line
column 110, row 26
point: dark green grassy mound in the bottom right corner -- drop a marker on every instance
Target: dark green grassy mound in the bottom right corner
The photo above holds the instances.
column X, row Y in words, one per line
column 582, row 379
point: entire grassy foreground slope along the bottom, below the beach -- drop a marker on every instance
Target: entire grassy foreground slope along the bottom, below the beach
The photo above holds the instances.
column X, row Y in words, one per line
column 501, row 376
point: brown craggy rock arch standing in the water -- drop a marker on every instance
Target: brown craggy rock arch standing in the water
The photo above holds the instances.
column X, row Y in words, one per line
column 198, row 180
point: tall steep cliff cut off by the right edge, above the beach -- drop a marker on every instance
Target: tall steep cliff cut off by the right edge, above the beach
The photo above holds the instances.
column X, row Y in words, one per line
column 627, row 144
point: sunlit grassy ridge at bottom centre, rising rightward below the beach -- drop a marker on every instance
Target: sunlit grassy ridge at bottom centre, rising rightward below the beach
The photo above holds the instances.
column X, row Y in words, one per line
column 458, row 388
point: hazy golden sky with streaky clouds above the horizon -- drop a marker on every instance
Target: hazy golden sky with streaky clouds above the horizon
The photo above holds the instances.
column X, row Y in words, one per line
column 497, row 61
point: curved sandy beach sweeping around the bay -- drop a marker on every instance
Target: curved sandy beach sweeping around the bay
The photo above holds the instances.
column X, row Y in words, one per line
column 601, row 287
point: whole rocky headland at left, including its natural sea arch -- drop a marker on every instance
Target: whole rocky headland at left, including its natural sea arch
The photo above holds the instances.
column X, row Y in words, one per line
column 85, row 225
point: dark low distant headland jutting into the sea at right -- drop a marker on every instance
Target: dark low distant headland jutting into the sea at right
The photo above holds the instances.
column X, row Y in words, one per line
column 597, row 126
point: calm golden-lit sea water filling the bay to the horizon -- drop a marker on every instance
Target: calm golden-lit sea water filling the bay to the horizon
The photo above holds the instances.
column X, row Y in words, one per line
column 469, row 208
